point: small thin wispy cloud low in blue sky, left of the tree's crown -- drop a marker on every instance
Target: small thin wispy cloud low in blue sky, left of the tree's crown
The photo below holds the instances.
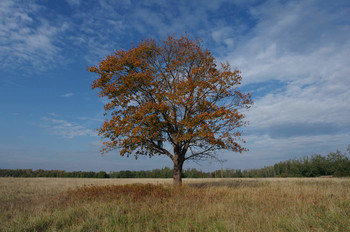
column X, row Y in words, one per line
column 67, row 129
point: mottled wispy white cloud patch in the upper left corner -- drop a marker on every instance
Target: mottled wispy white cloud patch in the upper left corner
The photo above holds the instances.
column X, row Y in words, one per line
column 26, row 38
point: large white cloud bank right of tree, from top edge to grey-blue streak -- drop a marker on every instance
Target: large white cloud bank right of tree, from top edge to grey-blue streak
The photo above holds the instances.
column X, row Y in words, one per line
column 285, row 46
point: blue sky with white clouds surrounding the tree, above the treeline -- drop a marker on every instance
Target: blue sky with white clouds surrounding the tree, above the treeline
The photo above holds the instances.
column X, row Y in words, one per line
column 294, row 57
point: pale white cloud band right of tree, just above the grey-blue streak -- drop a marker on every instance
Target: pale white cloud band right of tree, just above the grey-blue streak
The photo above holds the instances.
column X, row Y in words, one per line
column 317, row 103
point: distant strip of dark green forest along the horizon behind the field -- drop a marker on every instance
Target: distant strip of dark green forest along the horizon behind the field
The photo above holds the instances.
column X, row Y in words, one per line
column 335, row 164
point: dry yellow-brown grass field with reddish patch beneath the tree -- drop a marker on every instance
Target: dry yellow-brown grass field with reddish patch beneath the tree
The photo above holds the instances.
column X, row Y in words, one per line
column 285, row 204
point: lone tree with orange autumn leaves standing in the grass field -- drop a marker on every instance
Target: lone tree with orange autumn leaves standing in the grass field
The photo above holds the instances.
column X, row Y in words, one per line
column 170, row 98
